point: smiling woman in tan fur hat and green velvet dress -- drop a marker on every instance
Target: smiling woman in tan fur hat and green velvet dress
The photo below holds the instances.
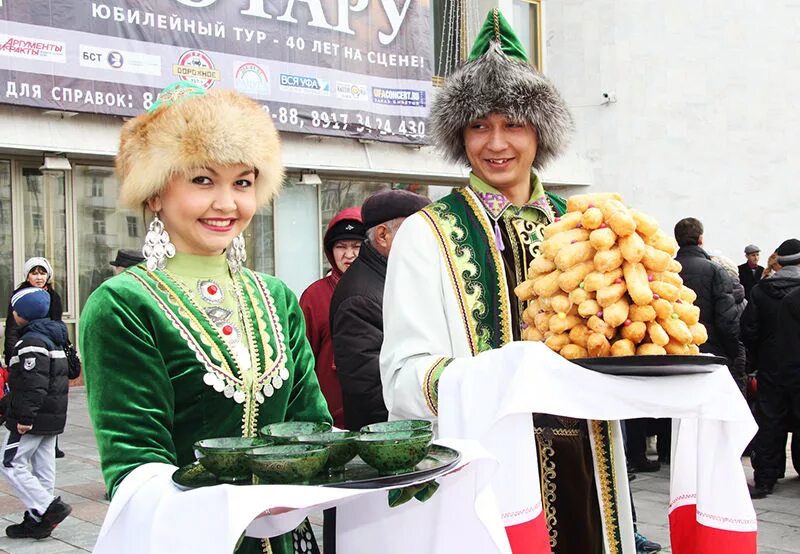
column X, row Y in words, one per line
column 191, row 344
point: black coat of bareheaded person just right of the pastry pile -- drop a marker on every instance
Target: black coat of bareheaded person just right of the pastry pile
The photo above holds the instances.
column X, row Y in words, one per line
column 714, row 289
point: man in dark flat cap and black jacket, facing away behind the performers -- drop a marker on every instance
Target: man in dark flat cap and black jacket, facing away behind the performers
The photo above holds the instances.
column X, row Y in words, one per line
column 357, row 308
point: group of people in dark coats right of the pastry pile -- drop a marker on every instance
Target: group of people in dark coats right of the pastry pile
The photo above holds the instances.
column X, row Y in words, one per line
column 751, row 313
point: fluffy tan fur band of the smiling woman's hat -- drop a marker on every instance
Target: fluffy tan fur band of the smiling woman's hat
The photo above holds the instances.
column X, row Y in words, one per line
column 220, row 127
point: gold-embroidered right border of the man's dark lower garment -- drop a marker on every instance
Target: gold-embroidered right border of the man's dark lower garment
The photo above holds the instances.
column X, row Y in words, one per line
column 605, row 473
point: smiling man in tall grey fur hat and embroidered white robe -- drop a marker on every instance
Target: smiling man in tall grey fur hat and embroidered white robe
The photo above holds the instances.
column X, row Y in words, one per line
column 449, row 299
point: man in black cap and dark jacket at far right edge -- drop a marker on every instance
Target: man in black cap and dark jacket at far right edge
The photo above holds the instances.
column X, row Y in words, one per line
column 763, row 334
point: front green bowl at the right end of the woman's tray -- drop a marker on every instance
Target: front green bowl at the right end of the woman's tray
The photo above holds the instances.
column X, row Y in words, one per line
column 394, row 452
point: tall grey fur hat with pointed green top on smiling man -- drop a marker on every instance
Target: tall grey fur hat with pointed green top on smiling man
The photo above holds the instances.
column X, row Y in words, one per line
column 497, row 78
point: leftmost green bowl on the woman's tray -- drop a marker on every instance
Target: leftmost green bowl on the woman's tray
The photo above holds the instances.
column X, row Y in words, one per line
column 226, row 457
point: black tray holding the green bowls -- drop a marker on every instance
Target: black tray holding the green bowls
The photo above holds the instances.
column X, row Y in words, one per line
column 357, row 474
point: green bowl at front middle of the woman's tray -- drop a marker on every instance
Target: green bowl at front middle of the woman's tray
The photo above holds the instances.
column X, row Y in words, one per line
column 287, row 463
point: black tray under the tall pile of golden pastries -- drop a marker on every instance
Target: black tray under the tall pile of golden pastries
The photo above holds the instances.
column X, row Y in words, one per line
column 651, row 366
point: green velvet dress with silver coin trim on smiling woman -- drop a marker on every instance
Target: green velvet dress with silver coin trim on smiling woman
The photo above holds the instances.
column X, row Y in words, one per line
column 192, row 352
